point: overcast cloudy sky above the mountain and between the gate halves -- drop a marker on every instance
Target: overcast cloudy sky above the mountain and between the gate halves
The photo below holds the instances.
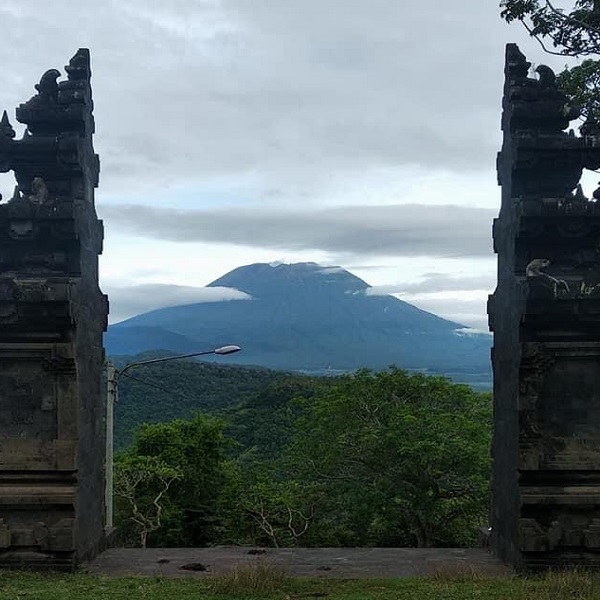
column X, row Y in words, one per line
column 360, row 133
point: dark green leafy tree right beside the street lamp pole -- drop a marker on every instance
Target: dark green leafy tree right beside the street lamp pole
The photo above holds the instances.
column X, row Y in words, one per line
column 192, row 453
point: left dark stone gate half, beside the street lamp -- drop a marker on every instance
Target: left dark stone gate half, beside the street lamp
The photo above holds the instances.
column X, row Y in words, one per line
column 52, row 317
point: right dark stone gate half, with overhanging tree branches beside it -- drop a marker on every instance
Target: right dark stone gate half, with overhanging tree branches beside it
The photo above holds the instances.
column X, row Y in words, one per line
column 545, row 315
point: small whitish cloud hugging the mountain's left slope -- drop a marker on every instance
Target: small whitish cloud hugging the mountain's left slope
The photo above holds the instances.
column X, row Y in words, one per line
column 128, row 301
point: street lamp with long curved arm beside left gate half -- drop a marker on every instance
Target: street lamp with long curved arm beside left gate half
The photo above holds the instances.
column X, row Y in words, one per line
column 113, row 375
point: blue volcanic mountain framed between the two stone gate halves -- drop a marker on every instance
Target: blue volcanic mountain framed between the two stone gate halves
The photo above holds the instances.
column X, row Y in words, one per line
column 308, row 317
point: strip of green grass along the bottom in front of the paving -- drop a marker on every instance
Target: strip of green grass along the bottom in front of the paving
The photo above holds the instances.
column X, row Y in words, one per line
column 272, row 583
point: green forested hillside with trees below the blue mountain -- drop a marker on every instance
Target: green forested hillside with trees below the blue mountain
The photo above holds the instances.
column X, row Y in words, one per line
column 369, row 459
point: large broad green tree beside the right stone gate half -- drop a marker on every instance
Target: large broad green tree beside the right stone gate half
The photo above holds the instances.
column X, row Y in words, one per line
column 398, row 459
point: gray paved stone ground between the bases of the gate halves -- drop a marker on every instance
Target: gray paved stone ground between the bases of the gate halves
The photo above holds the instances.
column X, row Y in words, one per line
column 349, row 563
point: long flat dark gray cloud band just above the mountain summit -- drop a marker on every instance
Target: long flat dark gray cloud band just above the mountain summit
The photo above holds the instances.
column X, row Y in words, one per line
column 408, row 230
